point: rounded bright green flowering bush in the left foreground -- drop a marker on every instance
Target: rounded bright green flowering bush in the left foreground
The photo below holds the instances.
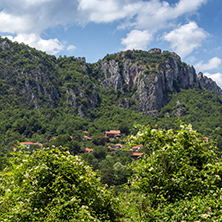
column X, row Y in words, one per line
column 52, row 185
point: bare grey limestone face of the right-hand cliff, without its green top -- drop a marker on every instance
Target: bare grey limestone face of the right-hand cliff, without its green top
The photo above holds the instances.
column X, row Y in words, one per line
column 153, row 84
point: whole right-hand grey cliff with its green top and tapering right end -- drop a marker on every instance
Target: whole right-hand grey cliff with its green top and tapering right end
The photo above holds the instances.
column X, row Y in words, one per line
column 155, row 74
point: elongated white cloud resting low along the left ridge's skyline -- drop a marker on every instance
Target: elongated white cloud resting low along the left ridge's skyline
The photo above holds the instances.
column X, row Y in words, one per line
column 51, row 46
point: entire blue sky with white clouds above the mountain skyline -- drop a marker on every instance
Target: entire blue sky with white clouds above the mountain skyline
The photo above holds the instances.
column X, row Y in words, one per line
column 95, row 28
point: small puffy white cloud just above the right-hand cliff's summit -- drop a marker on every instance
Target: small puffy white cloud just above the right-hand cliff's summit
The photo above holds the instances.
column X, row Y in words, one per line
column 137, row 39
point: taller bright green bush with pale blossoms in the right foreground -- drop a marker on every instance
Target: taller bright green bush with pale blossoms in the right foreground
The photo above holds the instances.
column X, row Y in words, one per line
column 179, row 171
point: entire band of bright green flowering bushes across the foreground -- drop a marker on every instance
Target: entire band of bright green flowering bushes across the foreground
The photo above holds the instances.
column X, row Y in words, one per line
column 177, row 179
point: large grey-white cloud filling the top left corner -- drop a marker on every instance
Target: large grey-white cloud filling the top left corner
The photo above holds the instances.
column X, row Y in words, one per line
column 28, row 16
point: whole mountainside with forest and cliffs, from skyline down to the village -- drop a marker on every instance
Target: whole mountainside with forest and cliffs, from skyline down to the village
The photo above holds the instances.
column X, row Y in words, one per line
column 43, row 96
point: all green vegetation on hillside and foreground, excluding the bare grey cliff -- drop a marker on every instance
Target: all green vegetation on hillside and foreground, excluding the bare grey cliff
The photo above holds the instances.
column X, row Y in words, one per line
column 60, row 104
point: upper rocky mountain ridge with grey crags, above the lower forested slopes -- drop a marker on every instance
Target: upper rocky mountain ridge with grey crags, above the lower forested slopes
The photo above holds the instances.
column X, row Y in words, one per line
column 143, row 80
